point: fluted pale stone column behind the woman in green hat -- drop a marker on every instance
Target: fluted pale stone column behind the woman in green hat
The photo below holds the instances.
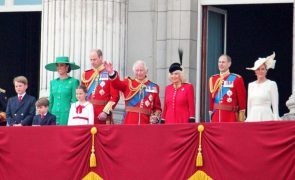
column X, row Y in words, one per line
column 74, row 27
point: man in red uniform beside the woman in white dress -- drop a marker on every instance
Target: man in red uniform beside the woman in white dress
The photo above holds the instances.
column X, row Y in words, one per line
column 227, row 94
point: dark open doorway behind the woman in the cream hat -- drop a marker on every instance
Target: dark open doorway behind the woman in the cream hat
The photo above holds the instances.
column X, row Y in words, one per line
column 256, row 31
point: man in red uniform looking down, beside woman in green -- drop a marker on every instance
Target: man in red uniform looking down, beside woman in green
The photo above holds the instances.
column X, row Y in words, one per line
column 100, row 90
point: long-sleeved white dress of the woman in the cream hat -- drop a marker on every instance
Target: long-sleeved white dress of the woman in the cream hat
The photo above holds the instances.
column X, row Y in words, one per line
column 263, row 100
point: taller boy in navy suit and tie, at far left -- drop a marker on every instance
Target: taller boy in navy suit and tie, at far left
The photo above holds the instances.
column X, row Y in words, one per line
column 20, row 108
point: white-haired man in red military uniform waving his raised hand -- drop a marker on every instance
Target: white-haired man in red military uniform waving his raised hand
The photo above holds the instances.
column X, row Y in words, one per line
column 142, row 102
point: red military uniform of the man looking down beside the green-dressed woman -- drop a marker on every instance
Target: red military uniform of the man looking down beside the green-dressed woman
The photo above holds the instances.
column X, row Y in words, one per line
column 103, row 96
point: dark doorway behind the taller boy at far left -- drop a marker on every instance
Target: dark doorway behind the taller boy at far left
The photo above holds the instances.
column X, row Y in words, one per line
column 20, row 35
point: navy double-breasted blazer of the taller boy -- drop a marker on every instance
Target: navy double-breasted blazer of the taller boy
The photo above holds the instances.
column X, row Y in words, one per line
column 20, row 112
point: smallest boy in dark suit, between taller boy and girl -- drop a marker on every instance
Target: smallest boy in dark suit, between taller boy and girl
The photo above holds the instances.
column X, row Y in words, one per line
column 44, row 117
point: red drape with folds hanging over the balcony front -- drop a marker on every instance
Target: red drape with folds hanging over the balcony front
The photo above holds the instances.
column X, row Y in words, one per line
column 262, row 150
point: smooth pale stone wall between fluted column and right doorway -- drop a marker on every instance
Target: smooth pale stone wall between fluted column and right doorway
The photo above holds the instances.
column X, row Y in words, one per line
column 156, row 29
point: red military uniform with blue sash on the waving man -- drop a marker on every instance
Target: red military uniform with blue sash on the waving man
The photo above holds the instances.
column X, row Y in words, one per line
column 141, row 99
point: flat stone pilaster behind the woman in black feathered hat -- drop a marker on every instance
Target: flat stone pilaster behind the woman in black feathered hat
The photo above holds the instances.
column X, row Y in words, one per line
column 176, row 28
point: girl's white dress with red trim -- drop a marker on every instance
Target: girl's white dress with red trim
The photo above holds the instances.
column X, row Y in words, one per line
column 81, row 118
